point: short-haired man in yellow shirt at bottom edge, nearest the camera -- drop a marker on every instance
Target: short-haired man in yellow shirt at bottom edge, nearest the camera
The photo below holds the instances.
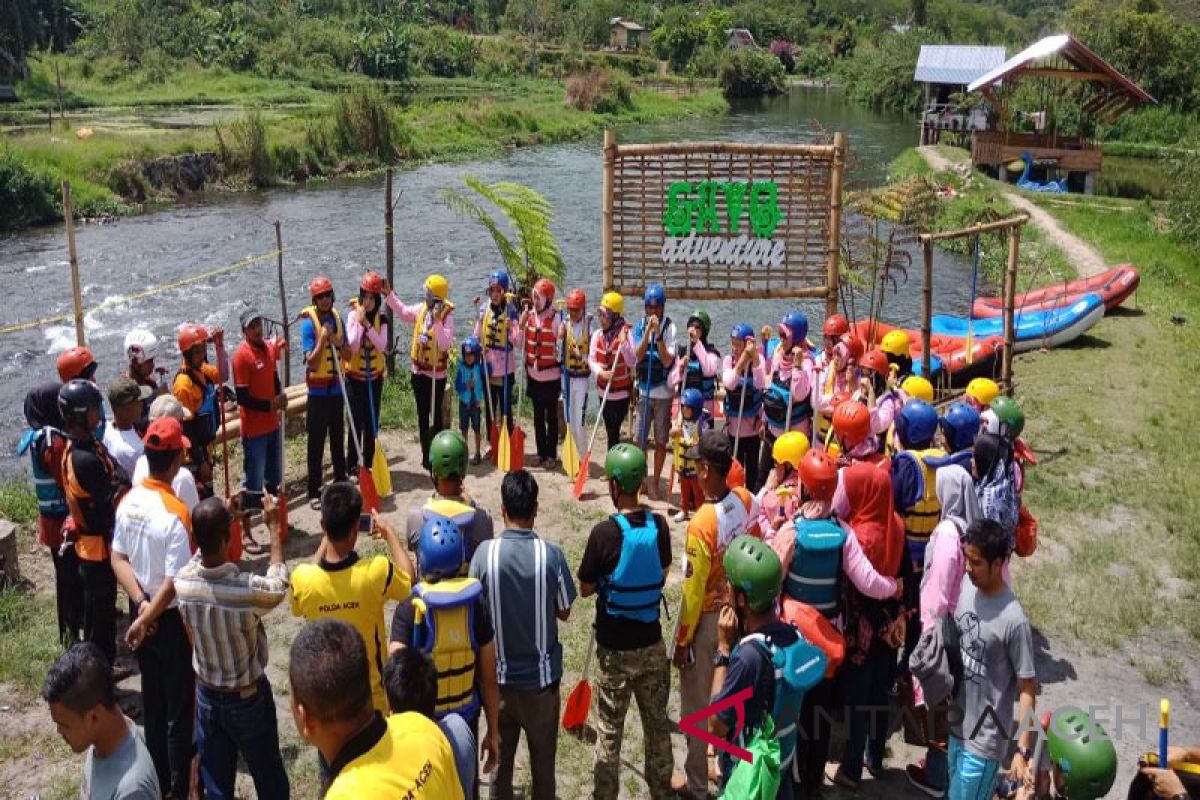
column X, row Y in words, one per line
column 405, row 757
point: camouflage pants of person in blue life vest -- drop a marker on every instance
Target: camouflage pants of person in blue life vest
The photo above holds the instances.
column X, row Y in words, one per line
column 645, row 676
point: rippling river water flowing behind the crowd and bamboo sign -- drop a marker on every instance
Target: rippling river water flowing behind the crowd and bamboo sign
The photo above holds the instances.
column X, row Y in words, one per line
column 337, row 230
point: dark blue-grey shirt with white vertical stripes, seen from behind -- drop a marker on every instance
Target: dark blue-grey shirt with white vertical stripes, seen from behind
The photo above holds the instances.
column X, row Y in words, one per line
column 526, row 582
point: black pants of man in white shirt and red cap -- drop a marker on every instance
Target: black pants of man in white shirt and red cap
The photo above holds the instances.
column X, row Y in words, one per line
column 169, row 696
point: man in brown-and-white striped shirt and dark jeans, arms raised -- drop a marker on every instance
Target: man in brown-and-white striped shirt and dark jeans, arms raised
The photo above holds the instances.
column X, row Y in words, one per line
column 224, row 611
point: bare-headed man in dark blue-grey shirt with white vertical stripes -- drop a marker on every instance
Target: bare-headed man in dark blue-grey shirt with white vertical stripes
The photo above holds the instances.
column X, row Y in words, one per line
column 529, row 588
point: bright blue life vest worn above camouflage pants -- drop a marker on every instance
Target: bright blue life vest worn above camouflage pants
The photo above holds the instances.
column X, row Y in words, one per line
column 634, row 591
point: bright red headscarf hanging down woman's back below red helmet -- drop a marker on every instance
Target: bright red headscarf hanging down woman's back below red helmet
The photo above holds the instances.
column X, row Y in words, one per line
column 873, row 516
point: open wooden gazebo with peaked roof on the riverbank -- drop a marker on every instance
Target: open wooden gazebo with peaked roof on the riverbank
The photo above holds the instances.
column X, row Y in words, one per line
column 1108, row 95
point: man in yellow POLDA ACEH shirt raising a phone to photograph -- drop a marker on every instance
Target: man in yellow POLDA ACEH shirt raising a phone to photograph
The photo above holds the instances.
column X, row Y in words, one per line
column 341, row 586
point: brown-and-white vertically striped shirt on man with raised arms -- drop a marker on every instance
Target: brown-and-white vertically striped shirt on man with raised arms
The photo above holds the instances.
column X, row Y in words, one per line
column 224, row 607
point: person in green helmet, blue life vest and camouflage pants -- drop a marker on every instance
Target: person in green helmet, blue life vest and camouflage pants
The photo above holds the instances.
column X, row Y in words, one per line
column 626, row 564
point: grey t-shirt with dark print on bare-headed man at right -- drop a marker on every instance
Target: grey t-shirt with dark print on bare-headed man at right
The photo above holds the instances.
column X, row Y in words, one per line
column 998, row 649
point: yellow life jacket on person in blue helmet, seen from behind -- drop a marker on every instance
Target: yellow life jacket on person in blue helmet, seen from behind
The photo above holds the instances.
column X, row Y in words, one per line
column 446, row 629
